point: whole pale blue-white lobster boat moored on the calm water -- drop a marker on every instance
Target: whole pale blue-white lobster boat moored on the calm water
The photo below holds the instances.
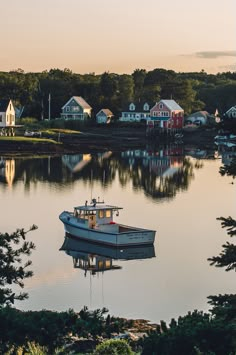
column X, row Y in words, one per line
column 94, row 222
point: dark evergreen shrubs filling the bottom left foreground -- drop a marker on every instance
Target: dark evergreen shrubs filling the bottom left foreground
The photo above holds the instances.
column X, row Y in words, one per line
column 53, row 329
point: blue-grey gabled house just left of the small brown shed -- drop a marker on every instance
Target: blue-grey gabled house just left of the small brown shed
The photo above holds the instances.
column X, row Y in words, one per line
column 76, row 109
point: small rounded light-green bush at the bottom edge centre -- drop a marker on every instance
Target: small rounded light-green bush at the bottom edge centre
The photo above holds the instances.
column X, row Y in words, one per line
column 113, row 347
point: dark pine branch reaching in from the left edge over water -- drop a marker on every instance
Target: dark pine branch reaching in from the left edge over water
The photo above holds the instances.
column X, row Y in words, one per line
column 13, row 270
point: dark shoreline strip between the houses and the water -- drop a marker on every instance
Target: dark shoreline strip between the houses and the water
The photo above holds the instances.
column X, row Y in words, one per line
column 115, row 141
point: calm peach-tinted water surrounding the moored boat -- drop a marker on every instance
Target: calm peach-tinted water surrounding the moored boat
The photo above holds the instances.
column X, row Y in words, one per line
column 175, row 191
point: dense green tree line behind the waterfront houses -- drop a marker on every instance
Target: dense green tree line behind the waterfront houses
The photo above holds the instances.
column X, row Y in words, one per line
column 193, row 91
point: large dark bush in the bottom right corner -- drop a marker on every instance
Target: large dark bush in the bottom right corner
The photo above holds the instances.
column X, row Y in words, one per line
column 197, row 332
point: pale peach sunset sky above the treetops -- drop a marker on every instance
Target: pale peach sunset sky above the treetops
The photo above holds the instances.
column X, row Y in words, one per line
column 118, row 36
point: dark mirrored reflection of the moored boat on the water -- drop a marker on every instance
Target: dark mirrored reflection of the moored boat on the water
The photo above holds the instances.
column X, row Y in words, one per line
column 95, row 258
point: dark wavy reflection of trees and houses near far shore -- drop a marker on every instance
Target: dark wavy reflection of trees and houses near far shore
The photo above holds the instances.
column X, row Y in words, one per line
column 158, row 175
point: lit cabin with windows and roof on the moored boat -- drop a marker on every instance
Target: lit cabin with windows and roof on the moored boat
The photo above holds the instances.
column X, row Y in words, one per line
column 97, row 213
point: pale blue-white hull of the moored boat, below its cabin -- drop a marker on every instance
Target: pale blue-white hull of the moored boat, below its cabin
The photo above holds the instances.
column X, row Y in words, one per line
column 131, row 235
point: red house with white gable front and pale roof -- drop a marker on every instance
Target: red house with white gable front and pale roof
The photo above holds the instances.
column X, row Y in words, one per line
column 167, row 114
